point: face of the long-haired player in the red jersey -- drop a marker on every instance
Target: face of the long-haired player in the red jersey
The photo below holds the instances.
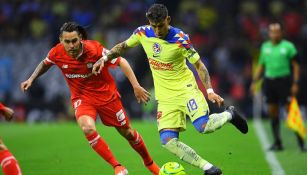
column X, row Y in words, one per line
column 71, row 42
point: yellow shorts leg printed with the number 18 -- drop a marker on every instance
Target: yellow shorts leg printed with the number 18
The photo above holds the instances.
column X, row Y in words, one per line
column 196, row 105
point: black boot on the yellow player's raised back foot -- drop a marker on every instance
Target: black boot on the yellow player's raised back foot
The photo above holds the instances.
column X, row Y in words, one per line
column 237, row 120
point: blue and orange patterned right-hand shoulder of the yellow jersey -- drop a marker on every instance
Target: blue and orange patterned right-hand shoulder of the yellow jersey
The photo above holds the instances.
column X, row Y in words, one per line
column 176, row 35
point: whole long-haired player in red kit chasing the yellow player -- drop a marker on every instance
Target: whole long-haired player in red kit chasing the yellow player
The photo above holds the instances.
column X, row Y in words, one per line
column 92, row 94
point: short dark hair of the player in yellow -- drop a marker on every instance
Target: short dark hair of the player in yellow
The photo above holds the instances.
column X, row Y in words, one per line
column 157, row 13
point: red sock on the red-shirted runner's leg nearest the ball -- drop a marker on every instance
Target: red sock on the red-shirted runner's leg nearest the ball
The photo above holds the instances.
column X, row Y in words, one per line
column 139, row 146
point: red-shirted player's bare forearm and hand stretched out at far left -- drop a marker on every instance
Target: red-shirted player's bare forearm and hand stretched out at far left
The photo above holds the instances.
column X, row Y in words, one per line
column 41, row 68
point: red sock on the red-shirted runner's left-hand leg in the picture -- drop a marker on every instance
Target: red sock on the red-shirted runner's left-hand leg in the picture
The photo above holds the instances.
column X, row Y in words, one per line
column 102, row 148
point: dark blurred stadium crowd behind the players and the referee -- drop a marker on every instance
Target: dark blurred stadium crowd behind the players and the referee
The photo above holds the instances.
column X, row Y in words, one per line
column 226, row 33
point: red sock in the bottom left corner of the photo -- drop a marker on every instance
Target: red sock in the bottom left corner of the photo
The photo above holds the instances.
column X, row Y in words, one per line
column 8, row 163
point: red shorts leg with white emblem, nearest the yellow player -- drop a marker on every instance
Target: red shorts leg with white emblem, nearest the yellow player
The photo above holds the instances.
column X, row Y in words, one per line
column 114, row 114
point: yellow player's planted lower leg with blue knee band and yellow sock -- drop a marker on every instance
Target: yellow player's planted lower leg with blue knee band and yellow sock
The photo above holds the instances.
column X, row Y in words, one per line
column 170, row 141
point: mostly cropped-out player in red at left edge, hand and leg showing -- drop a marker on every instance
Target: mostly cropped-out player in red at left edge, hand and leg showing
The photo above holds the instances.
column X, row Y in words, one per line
column 8, row 162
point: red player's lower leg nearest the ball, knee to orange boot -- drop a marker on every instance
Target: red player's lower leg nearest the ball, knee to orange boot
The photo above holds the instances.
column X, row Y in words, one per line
column 137, row 143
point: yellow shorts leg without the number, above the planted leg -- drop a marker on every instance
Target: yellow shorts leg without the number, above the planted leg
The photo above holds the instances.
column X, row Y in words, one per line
column 171, row 116
